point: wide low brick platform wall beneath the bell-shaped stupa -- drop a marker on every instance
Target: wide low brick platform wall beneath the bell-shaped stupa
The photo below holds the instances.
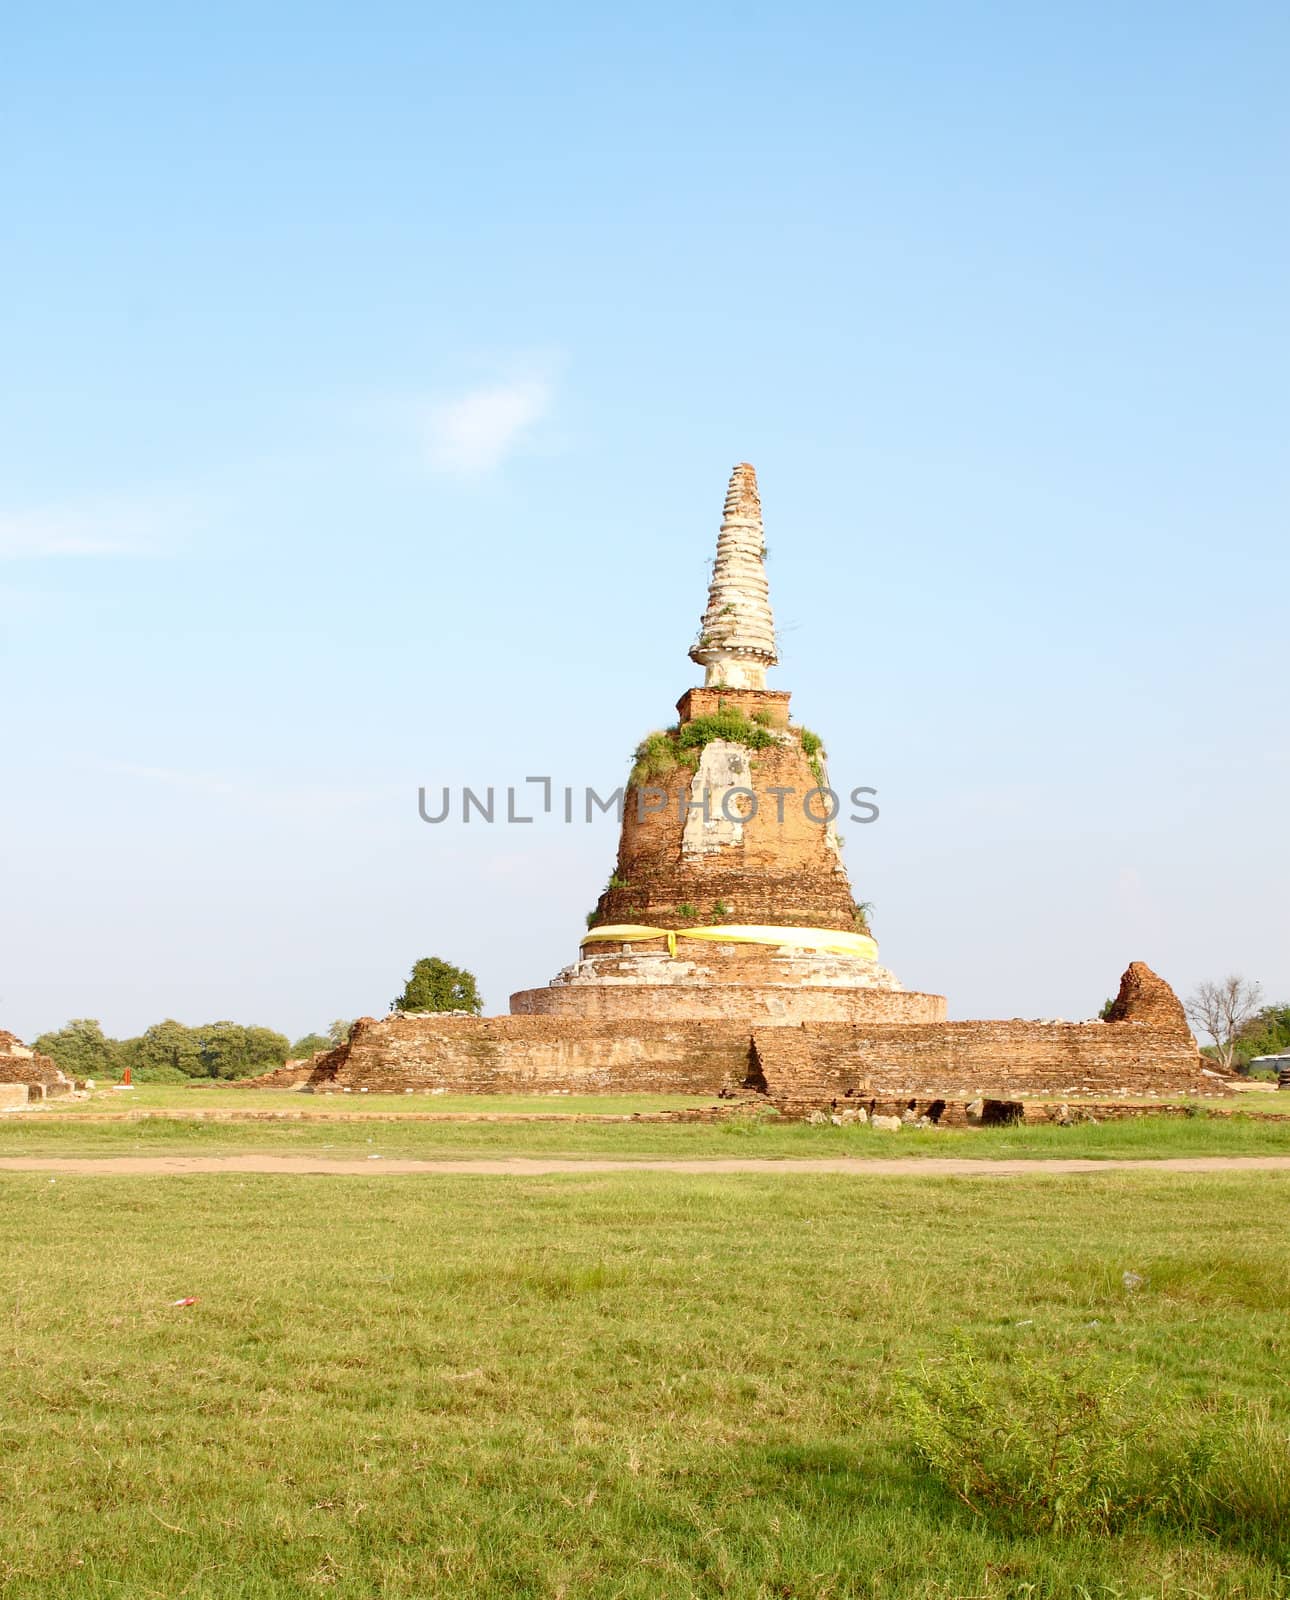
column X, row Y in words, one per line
column 815, row 1065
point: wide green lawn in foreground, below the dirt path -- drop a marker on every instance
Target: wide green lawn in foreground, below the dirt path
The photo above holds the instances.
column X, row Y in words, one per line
column 606, row 1386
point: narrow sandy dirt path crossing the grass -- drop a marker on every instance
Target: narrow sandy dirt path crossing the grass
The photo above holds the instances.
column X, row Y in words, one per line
column 545, row 1167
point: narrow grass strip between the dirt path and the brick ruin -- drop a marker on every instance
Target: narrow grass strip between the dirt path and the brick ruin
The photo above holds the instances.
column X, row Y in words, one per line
column 44, row 1134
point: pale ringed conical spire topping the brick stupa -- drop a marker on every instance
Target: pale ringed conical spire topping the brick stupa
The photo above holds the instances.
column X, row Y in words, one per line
column 737, row 639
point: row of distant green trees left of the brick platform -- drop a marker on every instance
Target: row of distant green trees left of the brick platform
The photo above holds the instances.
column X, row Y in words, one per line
column 172, row 1052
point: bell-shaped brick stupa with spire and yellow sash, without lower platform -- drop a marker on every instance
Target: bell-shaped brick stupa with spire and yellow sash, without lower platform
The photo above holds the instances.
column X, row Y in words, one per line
column 729, row 897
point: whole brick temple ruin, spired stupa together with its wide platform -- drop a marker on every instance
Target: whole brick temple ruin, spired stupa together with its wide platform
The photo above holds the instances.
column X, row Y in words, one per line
column 727, row 951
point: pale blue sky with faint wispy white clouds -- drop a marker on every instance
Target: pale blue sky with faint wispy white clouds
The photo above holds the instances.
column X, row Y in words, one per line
column 372, row 382
